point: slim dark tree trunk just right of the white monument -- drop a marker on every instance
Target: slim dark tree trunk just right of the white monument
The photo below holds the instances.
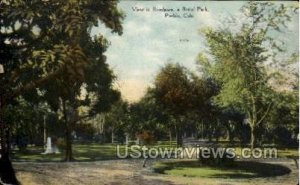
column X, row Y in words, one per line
column 68, row 137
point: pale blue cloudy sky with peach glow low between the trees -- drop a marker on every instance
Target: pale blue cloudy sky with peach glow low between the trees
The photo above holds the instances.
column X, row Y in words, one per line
column 151, row 39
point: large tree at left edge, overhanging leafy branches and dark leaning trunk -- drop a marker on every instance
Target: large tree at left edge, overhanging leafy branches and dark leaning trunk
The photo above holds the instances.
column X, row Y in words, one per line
column 40, row 40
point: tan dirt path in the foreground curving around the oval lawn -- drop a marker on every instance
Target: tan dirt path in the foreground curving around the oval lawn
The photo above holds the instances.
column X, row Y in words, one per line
column 126, row 172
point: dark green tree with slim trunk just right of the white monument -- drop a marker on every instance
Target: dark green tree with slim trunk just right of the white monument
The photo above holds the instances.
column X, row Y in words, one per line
column 93, row 89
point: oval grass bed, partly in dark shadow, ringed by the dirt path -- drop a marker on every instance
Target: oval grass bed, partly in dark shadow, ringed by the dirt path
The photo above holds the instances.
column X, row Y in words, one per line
column 239, row 169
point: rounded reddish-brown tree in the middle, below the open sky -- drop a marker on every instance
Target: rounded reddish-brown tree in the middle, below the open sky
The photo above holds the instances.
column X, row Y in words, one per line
column 182, row 94
